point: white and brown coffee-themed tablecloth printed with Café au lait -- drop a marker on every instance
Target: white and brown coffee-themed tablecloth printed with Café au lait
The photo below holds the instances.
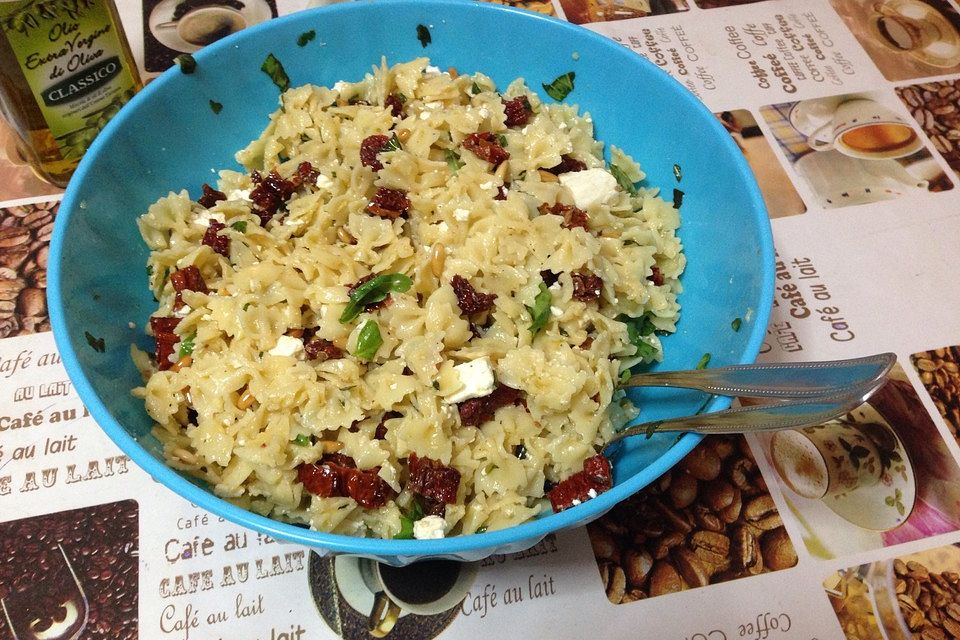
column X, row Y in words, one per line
column 845, row 530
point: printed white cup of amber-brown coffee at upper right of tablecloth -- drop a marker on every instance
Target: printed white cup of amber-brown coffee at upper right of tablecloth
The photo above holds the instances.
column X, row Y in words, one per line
column 862, row 128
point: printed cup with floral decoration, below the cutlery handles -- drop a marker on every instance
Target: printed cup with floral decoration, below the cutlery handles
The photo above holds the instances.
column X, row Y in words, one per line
column 826, row 460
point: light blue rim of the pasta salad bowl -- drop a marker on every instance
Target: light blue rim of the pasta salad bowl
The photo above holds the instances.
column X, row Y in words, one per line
column 532, row 530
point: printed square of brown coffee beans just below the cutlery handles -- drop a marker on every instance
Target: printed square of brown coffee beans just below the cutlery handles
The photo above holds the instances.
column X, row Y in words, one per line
column 708, row 520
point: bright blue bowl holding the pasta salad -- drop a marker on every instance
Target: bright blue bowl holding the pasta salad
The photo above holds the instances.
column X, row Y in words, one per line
column 168, row 138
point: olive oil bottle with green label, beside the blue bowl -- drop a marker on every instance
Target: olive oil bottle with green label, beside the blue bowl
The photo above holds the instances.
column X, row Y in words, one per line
column 65, row 70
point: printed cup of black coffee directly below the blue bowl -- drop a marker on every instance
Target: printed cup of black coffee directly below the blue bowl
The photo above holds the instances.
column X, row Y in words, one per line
column 424, row 588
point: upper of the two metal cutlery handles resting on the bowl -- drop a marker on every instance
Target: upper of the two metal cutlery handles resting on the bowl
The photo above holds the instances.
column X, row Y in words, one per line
column 776, row 380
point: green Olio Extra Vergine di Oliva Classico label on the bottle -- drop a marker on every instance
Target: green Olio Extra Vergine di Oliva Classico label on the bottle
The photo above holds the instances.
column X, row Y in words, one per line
column 71, row 55
